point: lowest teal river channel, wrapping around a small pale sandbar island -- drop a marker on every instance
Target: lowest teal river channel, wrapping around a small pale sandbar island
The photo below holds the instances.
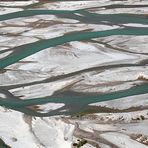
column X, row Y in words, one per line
column 77, row 103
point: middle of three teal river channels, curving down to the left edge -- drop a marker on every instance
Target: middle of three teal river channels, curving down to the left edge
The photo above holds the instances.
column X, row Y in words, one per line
column 41, row 45
